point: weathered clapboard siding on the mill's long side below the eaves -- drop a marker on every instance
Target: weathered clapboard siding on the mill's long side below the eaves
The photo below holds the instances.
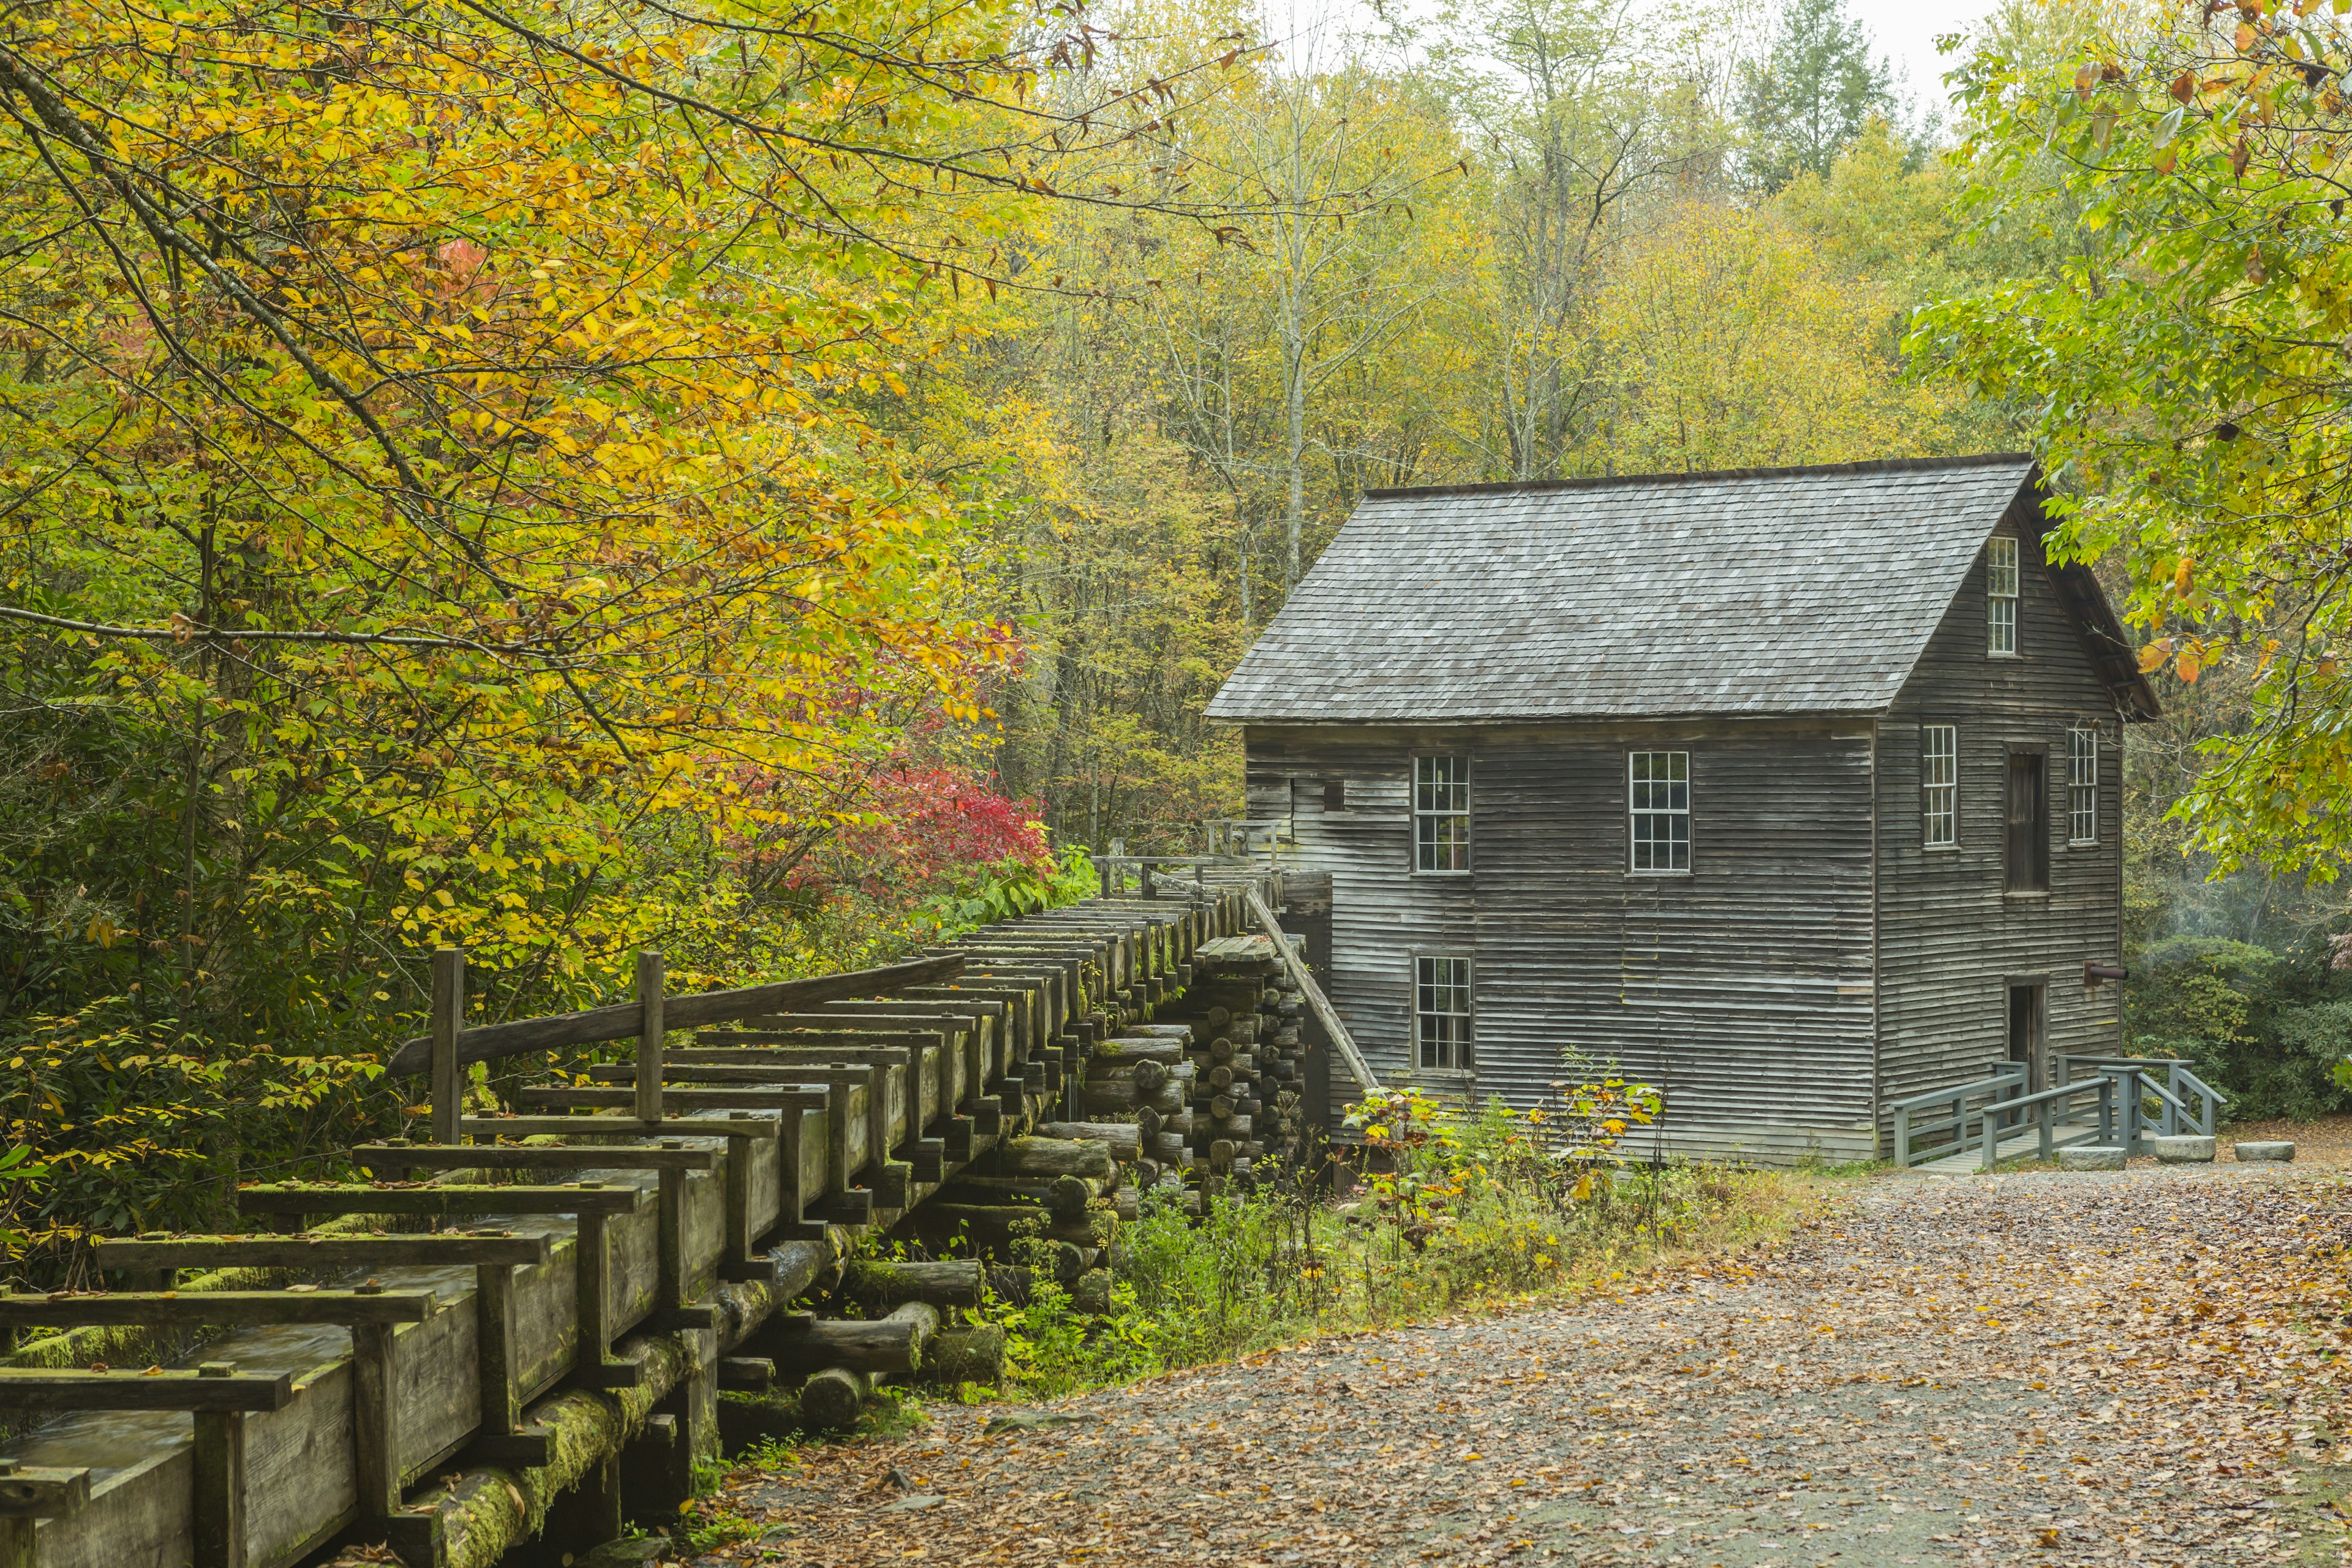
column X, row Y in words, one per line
column 1744, row 989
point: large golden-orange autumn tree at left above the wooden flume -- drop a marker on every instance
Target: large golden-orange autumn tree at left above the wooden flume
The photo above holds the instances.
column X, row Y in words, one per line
column 453, row 492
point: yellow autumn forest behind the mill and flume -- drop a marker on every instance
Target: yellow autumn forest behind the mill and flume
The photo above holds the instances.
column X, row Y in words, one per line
column 582, row 478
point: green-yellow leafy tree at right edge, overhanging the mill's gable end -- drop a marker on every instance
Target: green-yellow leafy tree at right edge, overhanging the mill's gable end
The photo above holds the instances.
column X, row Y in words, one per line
column 2186, row 373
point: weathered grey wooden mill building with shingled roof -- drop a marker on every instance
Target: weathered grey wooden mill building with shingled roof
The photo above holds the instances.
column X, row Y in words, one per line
column 1793, row 791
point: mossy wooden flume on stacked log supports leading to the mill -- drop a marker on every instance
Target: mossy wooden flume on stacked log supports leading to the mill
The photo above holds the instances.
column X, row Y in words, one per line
column 523, row 1336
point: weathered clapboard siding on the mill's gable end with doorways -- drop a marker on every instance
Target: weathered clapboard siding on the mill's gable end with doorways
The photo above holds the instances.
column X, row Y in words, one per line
column 1951, row 939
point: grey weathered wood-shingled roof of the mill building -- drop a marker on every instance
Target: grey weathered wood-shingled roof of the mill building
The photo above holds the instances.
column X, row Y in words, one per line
column 1723, row 594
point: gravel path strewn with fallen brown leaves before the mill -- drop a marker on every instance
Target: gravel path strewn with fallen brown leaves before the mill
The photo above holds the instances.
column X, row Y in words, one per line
column 2052, row 1367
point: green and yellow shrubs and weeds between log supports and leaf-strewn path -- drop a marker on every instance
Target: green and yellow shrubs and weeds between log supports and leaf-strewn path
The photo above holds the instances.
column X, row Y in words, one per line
column 1462, row 1209
